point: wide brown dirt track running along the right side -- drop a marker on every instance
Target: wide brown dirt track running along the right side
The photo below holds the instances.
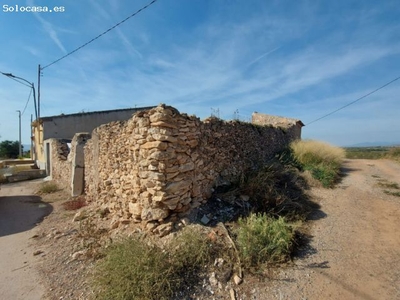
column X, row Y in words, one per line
column 354, row 251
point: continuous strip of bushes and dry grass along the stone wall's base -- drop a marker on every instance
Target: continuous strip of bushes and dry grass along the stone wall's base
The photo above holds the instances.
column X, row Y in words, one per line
column 264, row 232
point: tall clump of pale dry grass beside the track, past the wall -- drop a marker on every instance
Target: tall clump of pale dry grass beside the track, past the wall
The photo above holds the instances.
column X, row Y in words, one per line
column 322, row 160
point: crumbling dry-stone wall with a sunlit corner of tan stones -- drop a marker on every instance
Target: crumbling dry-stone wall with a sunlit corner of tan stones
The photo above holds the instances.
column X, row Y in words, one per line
column 160, row 164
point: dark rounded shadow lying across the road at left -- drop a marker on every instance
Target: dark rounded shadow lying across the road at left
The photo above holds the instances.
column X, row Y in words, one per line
column 21, row 213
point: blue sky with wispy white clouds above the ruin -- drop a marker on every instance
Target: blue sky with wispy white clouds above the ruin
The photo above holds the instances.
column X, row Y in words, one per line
column 300, row 59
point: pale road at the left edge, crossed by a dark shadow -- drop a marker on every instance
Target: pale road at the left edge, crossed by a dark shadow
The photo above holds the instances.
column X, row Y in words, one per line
column 20, row 211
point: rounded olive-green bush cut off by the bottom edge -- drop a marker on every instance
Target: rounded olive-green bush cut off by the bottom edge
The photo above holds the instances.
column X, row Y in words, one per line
column 134, row 270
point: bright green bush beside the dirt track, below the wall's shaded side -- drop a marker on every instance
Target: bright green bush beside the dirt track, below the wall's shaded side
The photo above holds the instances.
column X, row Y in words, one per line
column 264, row 239
